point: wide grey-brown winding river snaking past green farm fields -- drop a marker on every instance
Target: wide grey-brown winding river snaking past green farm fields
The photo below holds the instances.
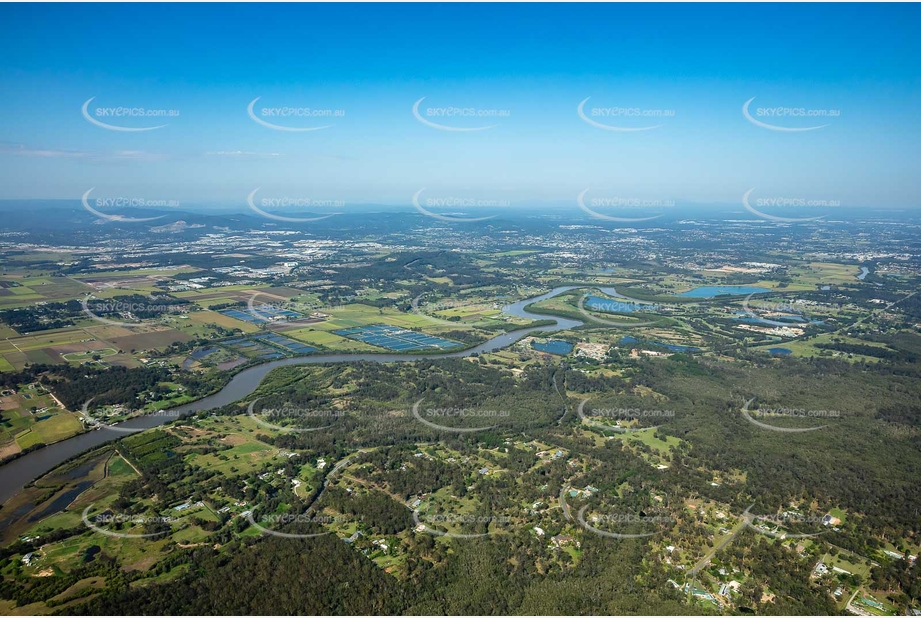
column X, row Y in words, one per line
column 20, row 472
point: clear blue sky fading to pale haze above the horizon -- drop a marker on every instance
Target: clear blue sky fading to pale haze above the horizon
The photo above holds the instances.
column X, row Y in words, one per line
column 537, row 63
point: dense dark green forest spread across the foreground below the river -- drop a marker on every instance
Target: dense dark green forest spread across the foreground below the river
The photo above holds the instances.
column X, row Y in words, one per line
column 514, row 572
